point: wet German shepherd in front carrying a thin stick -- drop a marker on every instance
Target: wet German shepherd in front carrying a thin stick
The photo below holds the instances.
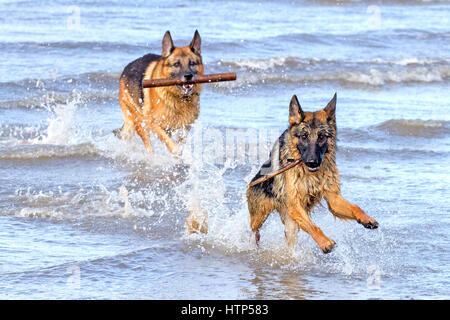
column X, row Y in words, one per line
column 311, row 137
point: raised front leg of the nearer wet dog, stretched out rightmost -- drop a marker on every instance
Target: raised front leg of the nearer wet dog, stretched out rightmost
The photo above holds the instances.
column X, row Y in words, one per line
column 343, row 209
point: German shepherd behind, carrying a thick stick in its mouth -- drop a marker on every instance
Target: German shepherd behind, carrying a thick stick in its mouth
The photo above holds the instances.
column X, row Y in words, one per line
column 161, row 110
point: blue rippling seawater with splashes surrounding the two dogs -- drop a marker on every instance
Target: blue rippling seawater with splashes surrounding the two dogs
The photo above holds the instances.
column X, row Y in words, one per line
column 86, row 216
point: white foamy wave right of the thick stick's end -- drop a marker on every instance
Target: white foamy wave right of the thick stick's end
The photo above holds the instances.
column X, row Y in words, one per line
column 375, row 72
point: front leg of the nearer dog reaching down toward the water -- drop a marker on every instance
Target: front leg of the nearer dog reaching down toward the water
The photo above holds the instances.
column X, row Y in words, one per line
column 300, row 216
